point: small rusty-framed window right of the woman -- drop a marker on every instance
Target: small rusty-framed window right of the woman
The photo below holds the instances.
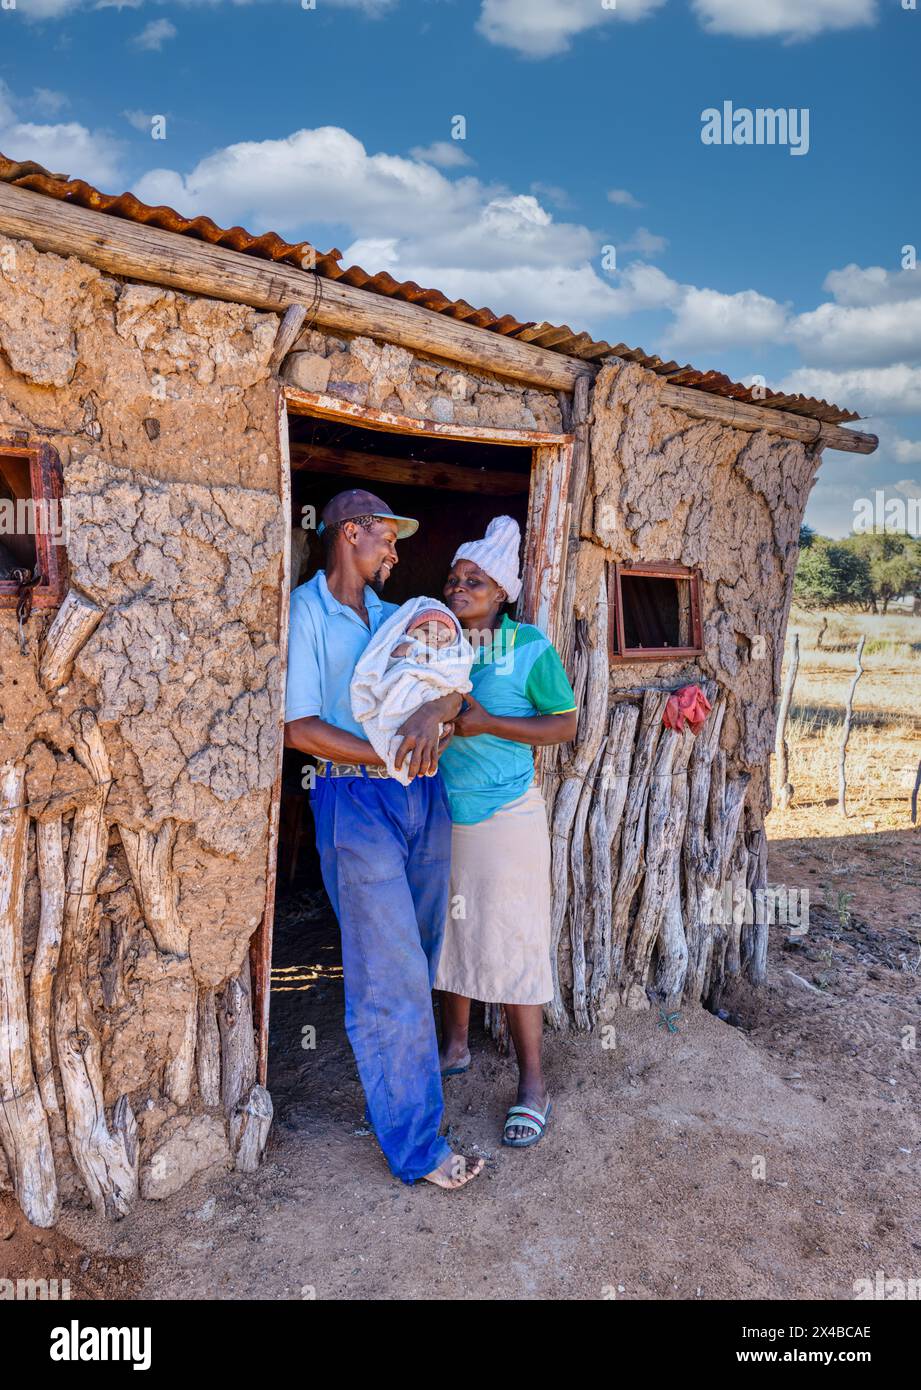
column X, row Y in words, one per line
column 654, row 612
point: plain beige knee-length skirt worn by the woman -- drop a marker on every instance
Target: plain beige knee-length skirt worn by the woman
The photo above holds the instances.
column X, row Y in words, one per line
column 498, row 936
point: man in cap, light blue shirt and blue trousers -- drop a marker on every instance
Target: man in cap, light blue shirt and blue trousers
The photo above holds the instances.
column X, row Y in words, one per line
column 384, row 849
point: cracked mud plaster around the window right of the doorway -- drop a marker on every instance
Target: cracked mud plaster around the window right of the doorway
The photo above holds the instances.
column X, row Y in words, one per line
column 729, row 502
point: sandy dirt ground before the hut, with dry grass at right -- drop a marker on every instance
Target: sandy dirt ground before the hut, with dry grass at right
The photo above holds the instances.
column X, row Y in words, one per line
column 772, row 1153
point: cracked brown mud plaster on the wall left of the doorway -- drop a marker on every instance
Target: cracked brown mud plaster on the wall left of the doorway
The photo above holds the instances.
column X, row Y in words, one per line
column 177, row 532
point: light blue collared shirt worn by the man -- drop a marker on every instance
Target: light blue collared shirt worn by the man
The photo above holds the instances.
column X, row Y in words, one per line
column 324, row 644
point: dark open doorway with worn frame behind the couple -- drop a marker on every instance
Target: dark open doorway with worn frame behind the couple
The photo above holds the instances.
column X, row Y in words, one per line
column 452, row 480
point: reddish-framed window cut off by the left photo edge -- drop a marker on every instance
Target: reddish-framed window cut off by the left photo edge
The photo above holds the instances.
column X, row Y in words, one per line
column 33, row 523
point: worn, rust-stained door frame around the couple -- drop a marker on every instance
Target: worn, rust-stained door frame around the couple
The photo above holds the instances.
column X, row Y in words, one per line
column 544, row 565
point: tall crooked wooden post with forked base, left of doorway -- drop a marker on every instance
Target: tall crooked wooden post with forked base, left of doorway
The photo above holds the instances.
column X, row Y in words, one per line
column 106, row 1160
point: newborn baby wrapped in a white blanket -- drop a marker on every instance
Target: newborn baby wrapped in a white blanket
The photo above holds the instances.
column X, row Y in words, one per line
column 419, row 655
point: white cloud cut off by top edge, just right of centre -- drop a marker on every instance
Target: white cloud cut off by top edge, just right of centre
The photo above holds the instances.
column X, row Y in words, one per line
column 541, row 28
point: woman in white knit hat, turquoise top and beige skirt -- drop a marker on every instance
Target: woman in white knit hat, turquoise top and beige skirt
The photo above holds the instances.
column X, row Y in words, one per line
column 498, row 938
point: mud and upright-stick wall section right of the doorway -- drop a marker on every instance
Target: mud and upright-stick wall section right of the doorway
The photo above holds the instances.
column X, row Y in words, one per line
column 655, row 832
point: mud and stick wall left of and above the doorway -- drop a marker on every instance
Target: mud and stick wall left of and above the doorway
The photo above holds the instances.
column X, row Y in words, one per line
column 152, row 764
